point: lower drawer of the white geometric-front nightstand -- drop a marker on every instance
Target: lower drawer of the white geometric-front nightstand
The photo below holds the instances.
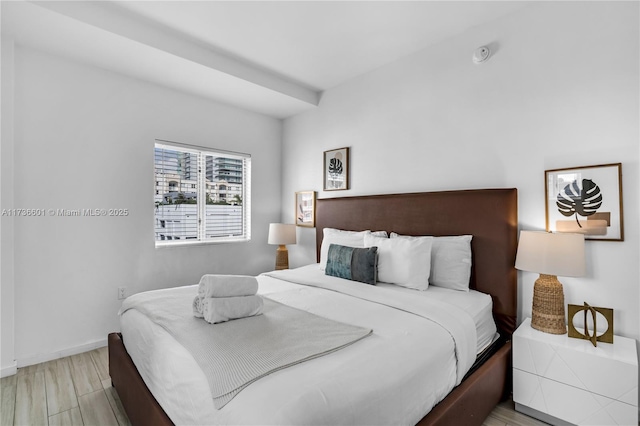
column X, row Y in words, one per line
column 569, row 403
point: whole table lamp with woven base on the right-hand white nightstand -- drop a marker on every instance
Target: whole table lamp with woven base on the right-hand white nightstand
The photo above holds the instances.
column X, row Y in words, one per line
column 550, row 255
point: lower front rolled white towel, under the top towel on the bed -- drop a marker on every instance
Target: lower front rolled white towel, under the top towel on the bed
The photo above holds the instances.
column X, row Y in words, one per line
column 221, row 309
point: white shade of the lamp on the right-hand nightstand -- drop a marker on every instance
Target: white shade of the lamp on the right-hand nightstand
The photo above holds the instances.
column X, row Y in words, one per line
column 551, row 253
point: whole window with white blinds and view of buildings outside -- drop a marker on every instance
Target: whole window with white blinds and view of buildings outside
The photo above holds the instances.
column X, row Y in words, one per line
column 194, row 202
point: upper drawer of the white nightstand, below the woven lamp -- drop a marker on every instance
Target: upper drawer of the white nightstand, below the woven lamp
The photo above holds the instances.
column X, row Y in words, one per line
column 603, row 370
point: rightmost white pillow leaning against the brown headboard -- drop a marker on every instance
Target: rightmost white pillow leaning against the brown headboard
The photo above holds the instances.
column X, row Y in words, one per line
column 450, row 261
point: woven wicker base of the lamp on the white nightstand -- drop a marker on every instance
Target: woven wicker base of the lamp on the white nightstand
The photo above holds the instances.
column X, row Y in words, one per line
column 547, row 313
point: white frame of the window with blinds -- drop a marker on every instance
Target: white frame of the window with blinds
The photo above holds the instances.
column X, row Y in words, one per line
column 201, row 153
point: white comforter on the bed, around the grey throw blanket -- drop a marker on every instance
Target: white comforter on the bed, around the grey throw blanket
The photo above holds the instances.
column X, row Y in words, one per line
column 394, row 376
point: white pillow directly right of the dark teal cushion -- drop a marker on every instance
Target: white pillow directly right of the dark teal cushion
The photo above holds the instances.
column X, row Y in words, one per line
column 402, row 261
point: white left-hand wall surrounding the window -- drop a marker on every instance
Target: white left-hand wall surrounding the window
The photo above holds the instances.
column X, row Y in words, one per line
column 84, row 139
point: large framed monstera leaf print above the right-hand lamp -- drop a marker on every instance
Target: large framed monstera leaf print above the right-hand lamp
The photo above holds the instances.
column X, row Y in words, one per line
column 585, row 200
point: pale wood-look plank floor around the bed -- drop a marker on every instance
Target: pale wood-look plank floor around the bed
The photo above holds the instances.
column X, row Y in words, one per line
column 77, row 391
